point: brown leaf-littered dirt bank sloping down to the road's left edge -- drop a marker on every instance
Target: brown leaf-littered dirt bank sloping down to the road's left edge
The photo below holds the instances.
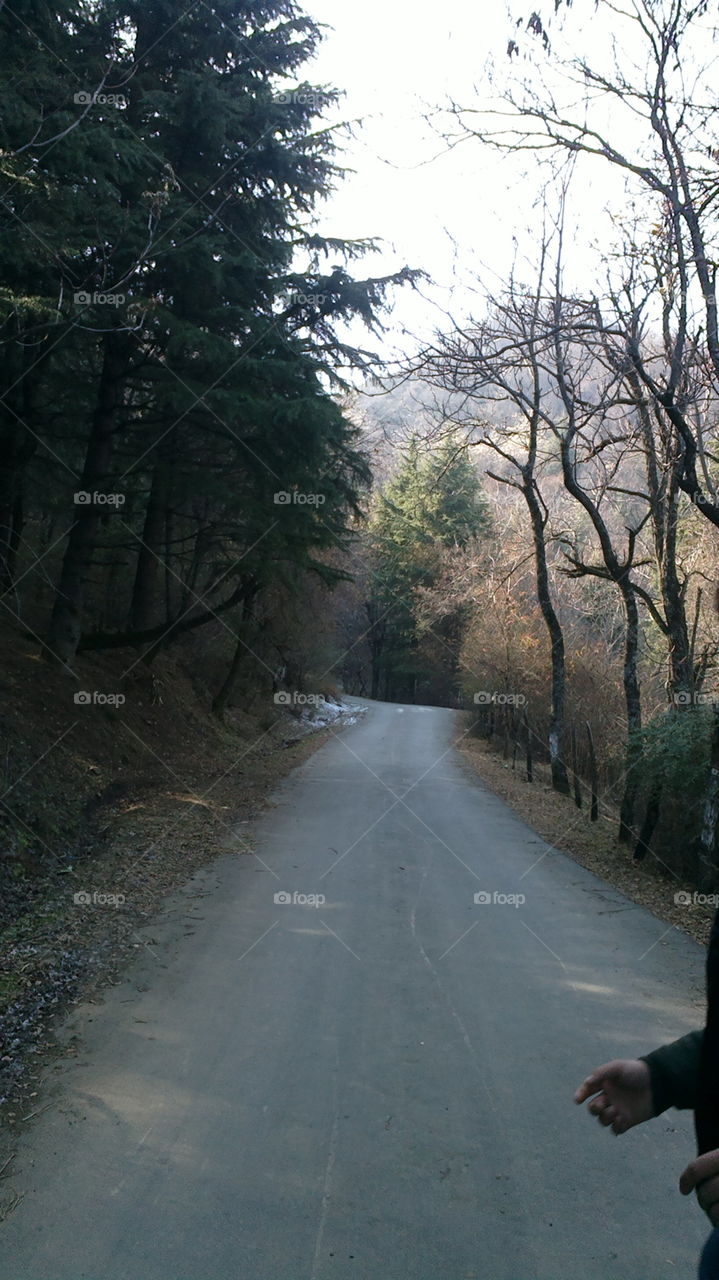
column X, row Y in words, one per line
column 109, row 802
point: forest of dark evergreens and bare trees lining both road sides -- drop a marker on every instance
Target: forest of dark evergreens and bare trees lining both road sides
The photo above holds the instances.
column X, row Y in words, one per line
column 516, row 518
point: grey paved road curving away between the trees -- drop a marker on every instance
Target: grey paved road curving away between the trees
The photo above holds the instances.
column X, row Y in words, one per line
column 378, row 1087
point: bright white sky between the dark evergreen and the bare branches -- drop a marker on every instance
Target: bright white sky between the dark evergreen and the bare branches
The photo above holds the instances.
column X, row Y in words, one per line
column 454, row 214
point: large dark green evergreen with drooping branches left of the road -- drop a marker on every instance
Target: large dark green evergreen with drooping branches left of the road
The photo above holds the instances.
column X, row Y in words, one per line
column 180, row 364
